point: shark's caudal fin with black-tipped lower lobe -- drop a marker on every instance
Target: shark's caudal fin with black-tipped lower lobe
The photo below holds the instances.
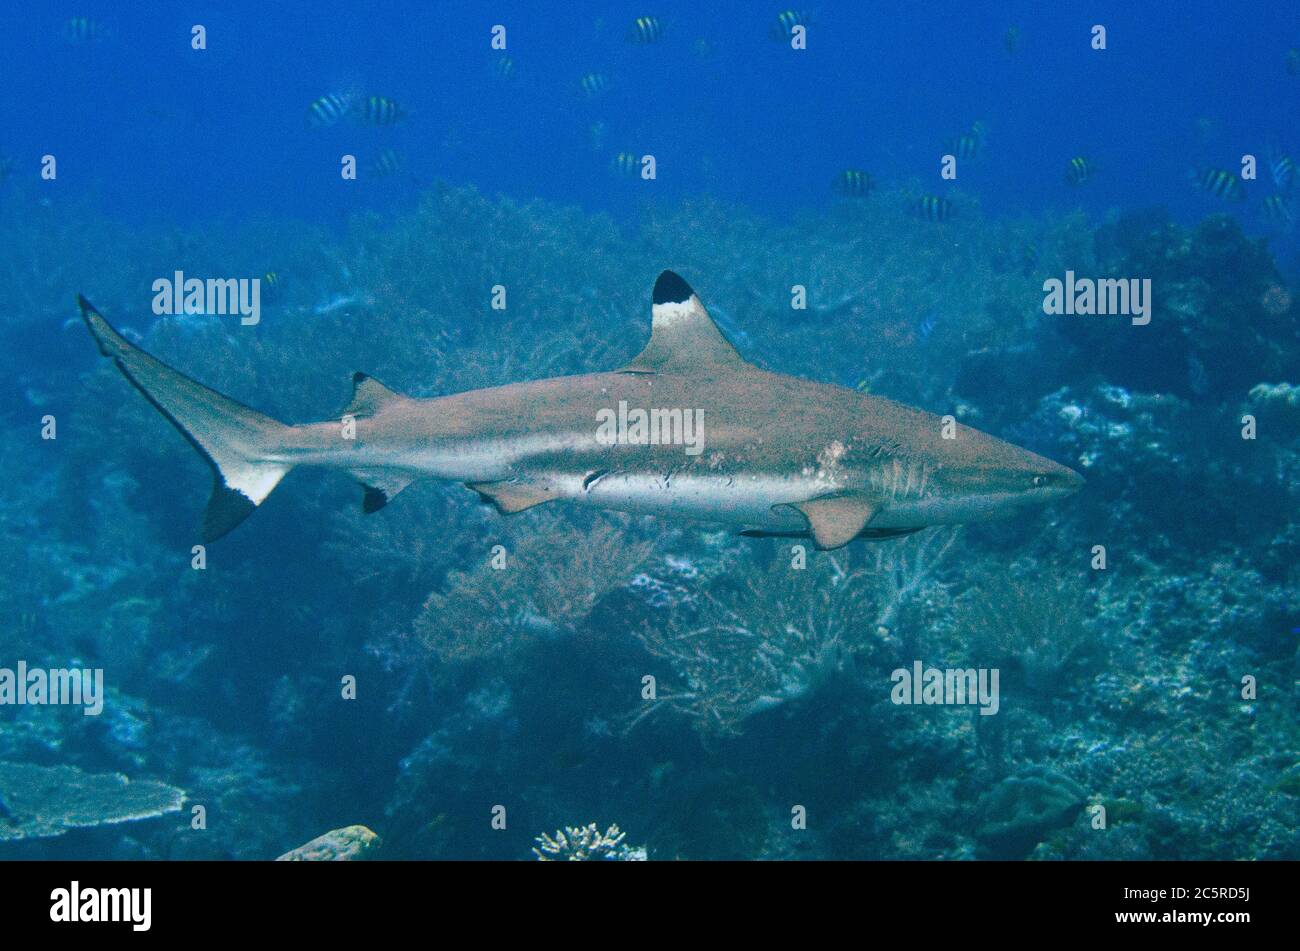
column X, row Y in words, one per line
column 240, row 444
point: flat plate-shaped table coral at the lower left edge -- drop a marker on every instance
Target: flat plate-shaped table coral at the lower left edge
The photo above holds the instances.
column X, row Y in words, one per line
column 41, row 802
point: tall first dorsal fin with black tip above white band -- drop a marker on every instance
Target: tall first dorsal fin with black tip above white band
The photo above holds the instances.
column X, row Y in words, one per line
column 683, row 336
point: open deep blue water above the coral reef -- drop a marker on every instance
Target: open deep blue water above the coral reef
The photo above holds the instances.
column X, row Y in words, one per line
column 151, row 128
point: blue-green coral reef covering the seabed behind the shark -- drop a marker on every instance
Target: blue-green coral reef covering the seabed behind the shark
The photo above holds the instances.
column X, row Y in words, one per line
column 523, row 685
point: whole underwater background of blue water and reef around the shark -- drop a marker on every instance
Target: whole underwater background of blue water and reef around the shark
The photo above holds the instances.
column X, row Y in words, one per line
column 1163, row 687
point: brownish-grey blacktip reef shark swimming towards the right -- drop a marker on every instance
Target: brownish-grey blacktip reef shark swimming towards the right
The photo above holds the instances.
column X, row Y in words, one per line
column 688, row 429
